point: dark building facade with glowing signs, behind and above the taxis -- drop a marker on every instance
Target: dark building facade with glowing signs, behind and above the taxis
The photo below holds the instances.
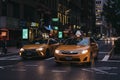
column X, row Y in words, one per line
column 36, row 18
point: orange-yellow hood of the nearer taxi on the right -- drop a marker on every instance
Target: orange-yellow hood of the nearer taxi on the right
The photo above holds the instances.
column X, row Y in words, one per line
column 72, row 47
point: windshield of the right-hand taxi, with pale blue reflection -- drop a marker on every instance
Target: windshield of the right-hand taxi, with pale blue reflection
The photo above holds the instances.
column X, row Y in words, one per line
column 75, row 41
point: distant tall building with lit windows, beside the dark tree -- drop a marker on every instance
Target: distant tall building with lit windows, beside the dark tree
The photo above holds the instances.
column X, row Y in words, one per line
column 101, row 26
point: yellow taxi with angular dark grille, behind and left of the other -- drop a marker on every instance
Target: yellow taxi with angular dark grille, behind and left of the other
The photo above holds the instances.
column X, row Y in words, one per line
column 39, row 48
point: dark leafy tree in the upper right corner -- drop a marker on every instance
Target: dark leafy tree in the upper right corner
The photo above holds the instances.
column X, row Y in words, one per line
column 111, row 12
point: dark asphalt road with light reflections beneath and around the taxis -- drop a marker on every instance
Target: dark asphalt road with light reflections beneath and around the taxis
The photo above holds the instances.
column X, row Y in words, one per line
column 14, row 68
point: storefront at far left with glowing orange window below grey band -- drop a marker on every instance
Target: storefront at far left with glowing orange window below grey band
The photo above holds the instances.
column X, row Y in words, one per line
column 9, row 29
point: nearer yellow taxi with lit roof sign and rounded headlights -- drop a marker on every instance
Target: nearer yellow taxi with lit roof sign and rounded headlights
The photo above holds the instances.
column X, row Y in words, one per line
column 77, row 50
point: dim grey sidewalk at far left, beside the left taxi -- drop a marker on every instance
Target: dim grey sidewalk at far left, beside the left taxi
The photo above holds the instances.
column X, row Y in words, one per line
column 11, row 51
